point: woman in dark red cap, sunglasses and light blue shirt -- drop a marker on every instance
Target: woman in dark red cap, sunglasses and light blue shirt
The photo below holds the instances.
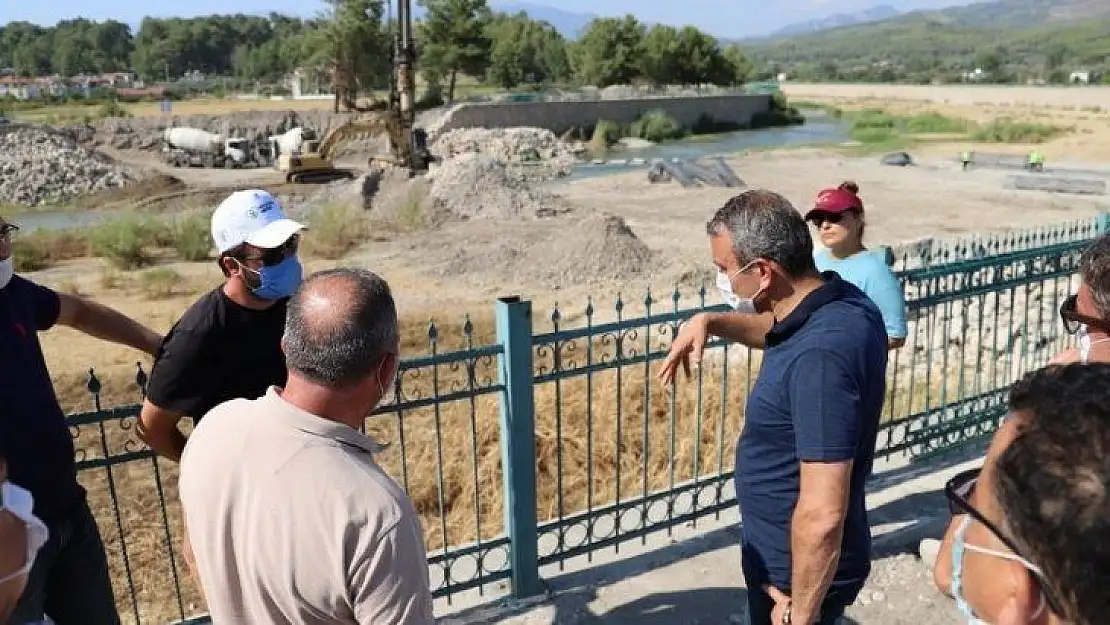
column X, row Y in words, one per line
column 839, row 216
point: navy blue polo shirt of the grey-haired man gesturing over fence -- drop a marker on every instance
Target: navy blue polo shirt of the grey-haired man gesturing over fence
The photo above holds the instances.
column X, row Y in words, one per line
column 819, row 398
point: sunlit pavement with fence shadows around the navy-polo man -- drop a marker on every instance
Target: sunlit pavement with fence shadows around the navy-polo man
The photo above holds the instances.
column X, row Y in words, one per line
column 693, row 578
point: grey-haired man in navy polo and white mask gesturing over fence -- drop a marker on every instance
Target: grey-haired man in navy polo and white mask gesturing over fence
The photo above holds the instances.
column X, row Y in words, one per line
column 812, row 419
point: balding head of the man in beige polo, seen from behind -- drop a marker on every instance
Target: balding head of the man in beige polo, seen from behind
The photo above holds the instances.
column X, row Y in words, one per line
column 340, row 345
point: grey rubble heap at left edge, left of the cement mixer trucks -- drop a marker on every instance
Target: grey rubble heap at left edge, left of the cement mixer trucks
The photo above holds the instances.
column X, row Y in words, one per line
column 43, row 167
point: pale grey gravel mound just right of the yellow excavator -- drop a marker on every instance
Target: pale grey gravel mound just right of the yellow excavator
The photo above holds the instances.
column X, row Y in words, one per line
column 477, row 186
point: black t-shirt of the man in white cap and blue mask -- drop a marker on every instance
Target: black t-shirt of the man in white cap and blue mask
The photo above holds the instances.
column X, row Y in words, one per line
column 218, row 351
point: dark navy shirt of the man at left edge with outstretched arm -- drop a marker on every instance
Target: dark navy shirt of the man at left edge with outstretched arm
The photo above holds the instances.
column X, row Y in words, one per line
column 34, row 437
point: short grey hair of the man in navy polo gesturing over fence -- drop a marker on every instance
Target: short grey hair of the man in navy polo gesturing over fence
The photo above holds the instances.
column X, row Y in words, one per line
column 766, row 226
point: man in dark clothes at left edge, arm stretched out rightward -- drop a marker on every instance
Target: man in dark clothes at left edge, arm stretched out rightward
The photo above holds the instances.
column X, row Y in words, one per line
column 69, row 581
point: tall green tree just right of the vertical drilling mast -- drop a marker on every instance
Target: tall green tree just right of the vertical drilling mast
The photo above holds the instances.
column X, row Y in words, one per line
column 456, row 39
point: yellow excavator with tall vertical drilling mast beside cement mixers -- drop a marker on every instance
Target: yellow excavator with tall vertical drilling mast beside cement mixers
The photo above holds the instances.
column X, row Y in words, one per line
column 408, row 144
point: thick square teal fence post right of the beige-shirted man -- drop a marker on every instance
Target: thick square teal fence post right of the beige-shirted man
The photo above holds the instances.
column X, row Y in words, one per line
column 519, row 443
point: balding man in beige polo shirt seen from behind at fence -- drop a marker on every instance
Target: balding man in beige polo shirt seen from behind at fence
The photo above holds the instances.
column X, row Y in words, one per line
column 289, row 518
